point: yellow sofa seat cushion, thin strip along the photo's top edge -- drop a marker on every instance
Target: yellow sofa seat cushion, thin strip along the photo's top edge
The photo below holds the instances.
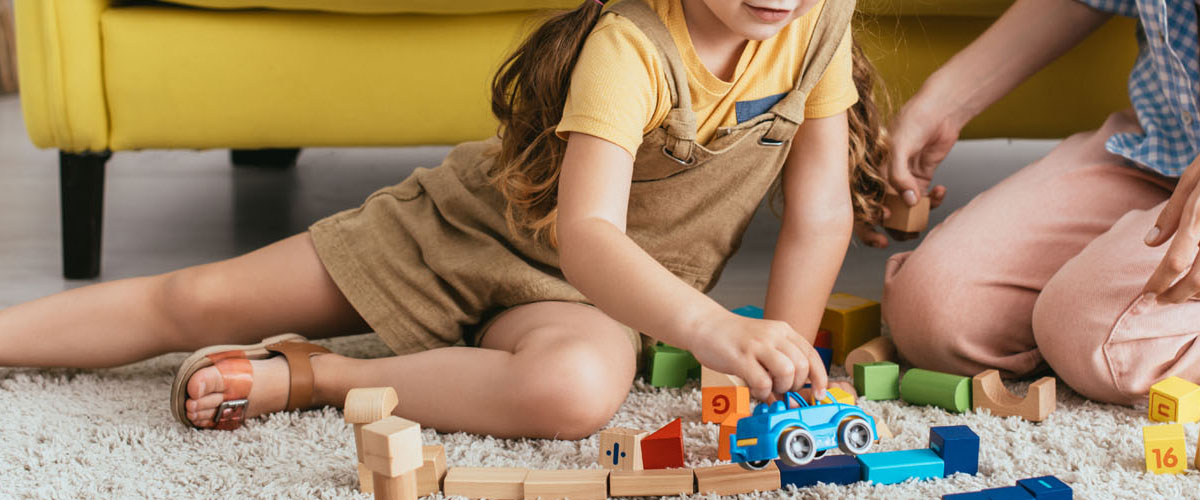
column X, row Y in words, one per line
column 892, row 8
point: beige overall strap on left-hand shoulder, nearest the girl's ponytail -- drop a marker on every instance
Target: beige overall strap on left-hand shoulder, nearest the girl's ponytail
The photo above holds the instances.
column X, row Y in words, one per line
column 681, row 122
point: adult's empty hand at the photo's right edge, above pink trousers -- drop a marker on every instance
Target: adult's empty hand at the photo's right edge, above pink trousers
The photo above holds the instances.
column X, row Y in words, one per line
column 1181, row 219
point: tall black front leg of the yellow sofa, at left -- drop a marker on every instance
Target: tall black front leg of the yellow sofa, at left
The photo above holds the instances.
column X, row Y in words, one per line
column 82, row 195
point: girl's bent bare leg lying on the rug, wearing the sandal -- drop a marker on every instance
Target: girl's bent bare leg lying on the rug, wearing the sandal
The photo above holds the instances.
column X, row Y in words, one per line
column 547, row 370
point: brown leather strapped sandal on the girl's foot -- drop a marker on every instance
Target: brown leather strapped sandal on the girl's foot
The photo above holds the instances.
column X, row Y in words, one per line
column 233, row 363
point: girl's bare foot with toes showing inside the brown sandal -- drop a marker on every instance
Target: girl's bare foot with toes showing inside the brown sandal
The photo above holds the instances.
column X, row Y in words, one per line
column 269, row 393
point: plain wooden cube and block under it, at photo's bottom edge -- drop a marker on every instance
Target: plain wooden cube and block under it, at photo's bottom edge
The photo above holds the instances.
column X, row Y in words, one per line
column 394, row 454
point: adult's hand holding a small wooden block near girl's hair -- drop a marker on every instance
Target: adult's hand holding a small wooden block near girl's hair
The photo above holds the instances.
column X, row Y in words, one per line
column 922, row 135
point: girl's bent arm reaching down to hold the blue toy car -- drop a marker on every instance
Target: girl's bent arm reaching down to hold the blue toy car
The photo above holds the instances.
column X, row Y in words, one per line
column 628, row 285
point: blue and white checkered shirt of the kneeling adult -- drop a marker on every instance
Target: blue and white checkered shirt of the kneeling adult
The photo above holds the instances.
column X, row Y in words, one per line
column 1163, row 86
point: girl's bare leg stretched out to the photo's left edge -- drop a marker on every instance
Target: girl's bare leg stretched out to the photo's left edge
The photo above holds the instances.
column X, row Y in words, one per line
column 279, row 288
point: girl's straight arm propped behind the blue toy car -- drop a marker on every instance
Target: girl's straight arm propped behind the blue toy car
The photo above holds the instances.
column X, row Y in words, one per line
column 818, row 224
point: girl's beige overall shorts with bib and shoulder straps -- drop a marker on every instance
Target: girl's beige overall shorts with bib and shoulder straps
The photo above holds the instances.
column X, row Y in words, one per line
column 429, row 260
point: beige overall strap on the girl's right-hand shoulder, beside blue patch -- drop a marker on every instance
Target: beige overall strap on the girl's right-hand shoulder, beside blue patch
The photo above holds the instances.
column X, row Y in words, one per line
column 827, row 37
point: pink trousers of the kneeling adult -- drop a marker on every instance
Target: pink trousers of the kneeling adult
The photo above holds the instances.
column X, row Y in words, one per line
column 1046, row 269
